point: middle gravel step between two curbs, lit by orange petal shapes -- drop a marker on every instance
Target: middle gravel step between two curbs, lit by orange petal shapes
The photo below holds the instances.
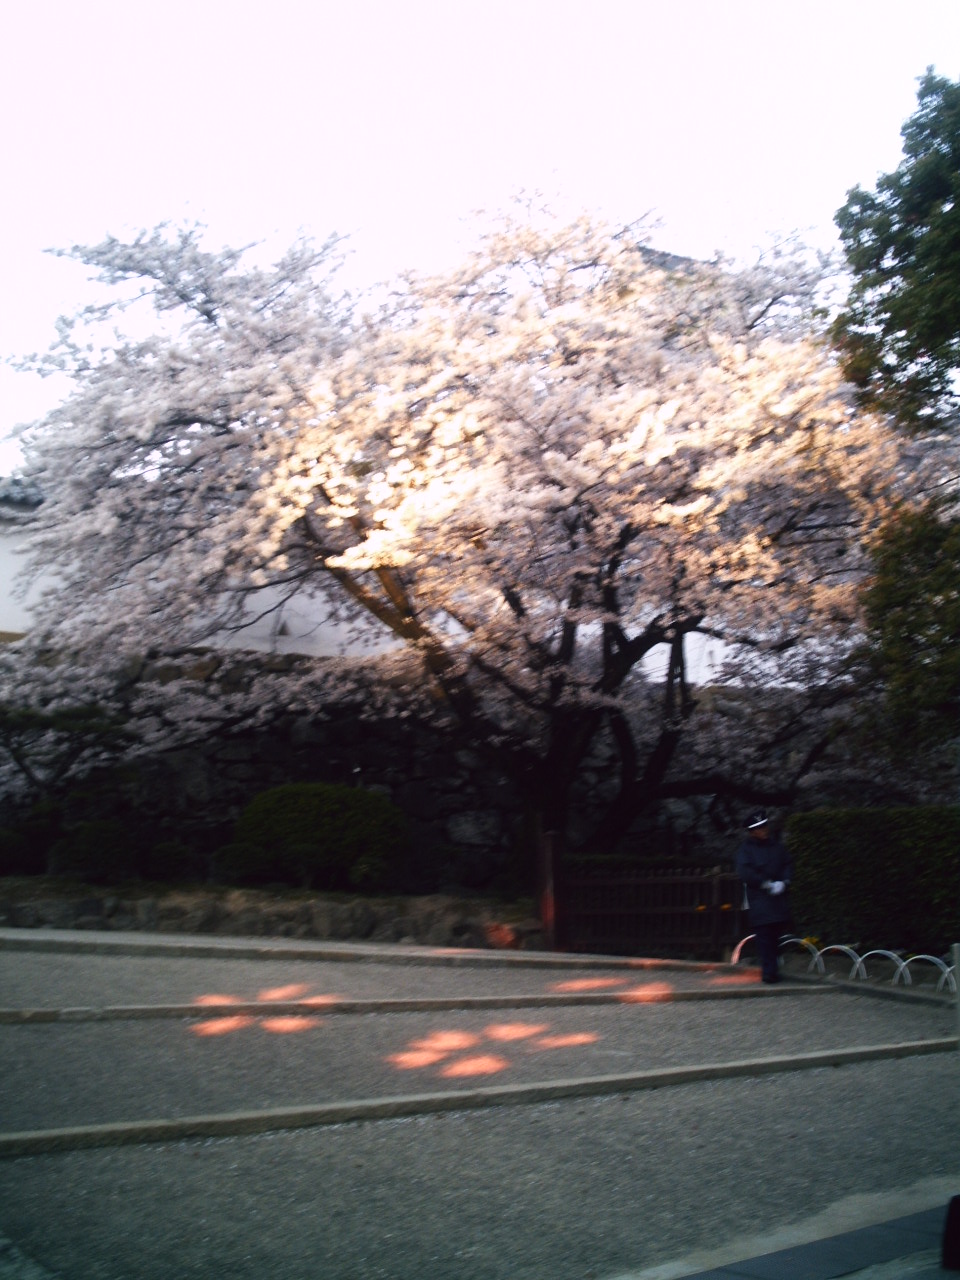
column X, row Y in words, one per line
column 88, row 1073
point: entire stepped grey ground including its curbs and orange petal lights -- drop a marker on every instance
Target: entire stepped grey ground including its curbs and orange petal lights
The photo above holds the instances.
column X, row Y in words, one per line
column 355, row 1113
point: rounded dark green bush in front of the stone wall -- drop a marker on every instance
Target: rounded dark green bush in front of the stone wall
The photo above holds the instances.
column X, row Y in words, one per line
column 318, row 836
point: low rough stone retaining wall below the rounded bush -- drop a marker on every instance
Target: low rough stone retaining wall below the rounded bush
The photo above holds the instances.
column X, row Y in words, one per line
column 438, row 921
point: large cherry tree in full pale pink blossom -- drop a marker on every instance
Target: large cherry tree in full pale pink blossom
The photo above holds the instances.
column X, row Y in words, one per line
column 543, row 477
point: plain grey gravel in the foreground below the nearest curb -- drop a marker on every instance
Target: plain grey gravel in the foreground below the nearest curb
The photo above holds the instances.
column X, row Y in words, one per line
column 577, row 1191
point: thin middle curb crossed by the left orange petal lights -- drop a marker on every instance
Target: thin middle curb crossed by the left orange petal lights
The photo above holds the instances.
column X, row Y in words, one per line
column 396, row 1005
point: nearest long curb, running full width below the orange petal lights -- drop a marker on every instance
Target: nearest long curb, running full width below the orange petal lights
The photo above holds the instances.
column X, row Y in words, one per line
column 275, row 1119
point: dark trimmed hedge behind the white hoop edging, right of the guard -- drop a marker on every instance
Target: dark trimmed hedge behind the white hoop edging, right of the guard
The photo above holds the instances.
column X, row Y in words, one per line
column 879, row 877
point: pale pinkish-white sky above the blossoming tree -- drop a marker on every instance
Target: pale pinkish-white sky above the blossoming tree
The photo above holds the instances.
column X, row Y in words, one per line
column 395, row 121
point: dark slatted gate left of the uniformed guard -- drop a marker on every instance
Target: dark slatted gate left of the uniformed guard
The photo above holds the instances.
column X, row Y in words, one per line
column 660, row 909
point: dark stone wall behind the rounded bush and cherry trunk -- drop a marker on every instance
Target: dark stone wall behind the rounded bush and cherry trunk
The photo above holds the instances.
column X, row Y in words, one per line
column 468, row 819
